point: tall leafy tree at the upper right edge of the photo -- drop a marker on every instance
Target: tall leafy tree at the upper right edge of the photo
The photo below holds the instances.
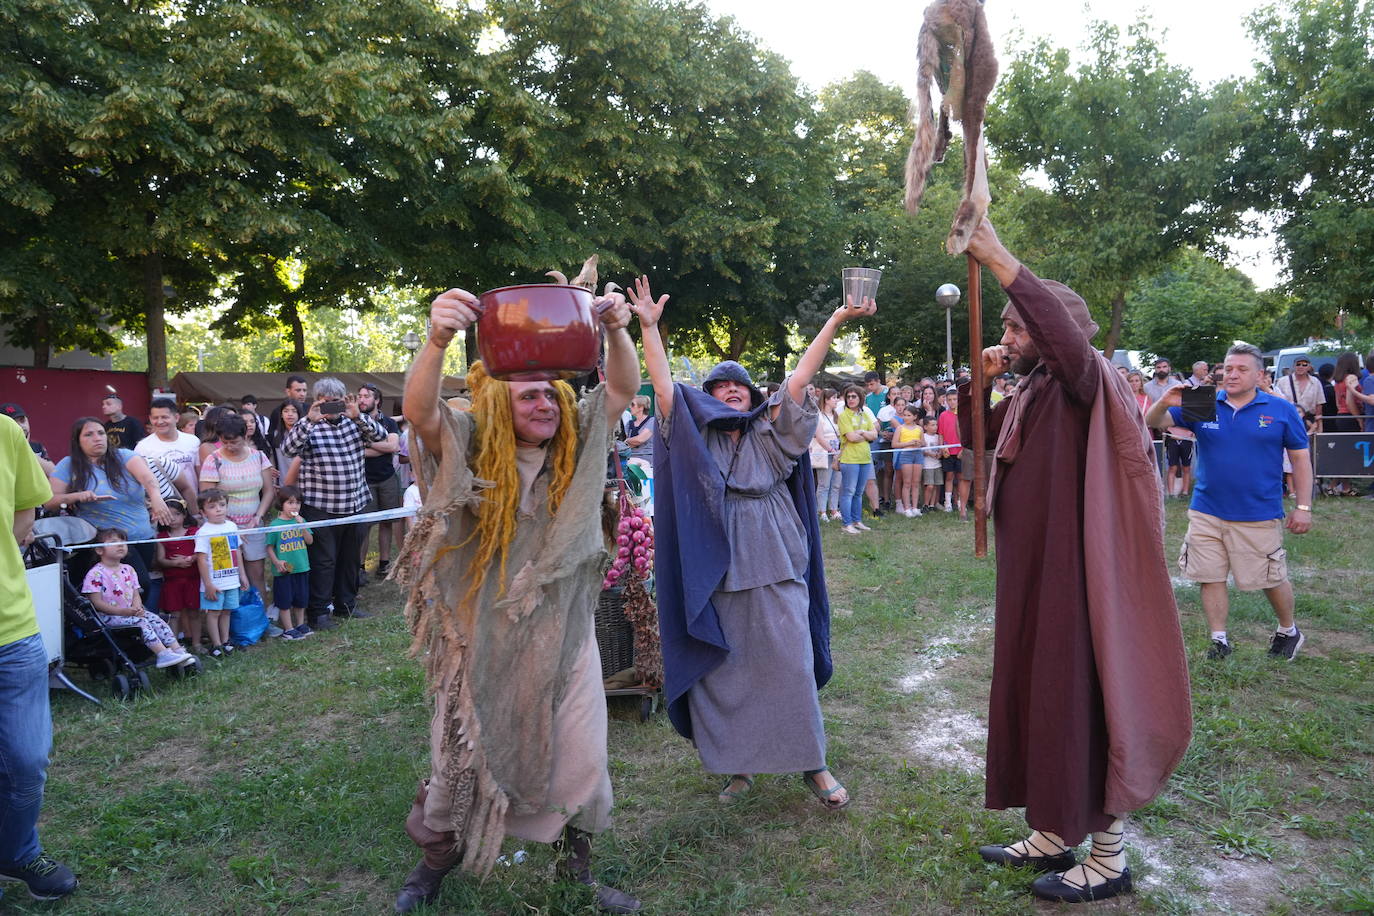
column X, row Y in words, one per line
column 1307, row 149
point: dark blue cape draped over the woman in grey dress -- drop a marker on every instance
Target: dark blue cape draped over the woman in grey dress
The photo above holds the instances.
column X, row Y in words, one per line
column 692, row 554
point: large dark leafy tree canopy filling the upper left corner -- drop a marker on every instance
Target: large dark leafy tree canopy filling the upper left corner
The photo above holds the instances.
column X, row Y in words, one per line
column 155, row 145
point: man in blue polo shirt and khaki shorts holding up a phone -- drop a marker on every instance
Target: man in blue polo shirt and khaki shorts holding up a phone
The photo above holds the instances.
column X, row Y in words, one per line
column 1236, row 520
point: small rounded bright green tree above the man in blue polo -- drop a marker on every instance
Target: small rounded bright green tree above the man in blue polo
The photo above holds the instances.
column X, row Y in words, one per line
column 1193, row 310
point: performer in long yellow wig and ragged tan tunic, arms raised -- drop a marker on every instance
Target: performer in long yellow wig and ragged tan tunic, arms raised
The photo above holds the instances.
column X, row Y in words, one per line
column 504, row 621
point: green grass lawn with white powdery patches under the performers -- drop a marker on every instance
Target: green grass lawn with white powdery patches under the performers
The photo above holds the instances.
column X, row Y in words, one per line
column 280, row 781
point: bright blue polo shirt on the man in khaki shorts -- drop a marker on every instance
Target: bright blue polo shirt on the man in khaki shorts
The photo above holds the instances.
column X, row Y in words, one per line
column 1240, row 458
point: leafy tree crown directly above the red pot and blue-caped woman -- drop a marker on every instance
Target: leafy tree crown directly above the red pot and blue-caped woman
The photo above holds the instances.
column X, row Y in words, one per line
column 673, row 145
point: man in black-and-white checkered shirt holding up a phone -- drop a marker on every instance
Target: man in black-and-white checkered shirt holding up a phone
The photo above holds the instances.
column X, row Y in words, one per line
column 330, row 443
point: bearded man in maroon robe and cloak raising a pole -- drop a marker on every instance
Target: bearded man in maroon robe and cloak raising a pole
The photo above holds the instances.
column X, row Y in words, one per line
column 1090, row 707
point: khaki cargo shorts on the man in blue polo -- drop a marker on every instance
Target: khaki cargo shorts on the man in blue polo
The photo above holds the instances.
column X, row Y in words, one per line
column 1252, row 551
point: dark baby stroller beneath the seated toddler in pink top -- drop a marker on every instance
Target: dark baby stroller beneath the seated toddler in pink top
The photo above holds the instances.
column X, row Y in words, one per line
column 115, row 653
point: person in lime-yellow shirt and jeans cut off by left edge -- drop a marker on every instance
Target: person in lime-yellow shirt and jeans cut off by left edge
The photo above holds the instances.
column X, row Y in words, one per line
column 25, row 723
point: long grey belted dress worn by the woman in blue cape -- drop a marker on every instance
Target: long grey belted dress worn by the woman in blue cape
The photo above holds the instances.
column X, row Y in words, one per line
column 759, row 713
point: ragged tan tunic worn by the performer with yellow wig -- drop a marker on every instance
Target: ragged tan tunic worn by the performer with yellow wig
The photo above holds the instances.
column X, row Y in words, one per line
column 519, row 737
